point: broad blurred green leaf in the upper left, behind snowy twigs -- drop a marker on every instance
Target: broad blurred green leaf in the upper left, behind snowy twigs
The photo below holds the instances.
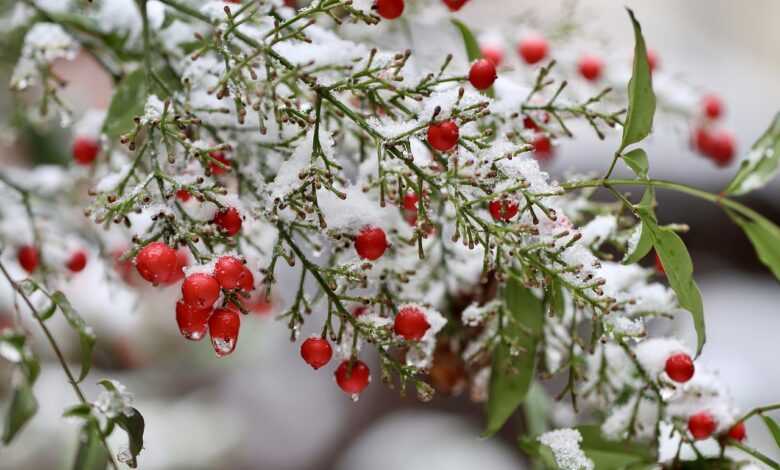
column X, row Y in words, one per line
column 128, row 102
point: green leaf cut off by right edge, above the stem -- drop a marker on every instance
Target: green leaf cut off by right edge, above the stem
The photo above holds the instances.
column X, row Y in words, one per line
column 761, row 163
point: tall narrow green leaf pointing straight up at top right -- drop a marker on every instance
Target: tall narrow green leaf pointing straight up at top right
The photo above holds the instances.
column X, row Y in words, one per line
column 641, row 99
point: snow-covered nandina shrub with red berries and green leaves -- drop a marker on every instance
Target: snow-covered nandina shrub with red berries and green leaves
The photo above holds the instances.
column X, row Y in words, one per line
column 249, row 137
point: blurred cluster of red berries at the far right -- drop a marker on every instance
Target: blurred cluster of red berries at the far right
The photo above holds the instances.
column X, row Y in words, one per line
column 717, row 144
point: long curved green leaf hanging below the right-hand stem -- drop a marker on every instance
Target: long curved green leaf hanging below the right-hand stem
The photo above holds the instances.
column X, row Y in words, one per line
column 678, row 267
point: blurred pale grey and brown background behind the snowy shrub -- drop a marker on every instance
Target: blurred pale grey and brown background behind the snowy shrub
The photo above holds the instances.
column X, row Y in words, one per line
column 265, row 408
